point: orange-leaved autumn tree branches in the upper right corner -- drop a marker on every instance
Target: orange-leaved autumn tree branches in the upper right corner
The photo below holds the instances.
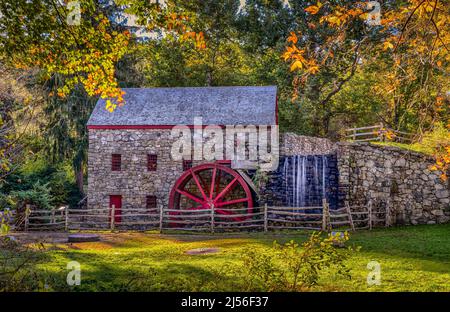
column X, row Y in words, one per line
column 407, row 49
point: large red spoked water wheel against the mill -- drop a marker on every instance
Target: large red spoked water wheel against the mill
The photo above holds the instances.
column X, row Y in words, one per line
column 212, row 185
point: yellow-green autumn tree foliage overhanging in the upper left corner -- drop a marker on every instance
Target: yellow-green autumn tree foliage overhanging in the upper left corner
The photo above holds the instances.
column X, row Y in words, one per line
column 55, row 37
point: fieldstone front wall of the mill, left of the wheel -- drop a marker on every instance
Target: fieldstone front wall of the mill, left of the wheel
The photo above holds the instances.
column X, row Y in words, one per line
column 133, row 182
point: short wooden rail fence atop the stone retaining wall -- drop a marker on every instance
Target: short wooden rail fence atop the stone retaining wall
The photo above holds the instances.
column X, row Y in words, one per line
column 379, row 133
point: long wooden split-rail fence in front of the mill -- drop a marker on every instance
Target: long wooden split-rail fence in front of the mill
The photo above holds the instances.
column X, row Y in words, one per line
column 265, row 218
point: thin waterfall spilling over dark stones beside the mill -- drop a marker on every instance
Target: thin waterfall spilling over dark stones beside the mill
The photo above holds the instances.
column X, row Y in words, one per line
column 305, row 180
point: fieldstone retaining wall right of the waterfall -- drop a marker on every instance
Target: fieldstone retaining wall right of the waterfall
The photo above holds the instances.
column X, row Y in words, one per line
column 387, row 174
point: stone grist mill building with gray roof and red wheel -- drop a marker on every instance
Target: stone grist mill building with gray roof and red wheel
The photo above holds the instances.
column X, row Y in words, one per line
column 130, row 162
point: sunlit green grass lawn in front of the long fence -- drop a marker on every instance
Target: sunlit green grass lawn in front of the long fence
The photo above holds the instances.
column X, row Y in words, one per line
column 414, row 258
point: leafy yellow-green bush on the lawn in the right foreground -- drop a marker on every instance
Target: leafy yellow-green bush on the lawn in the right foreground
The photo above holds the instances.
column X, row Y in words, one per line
column 294, row 267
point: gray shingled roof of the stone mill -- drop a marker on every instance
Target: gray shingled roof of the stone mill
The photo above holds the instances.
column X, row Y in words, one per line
column 179, row 106
